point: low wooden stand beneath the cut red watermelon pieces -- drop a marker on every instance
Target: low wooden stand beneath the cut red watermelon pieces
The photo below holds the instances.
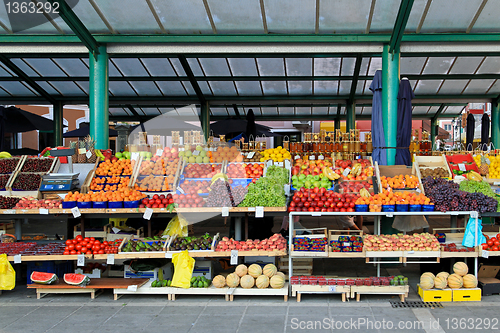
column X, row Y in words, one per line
column 61, row 287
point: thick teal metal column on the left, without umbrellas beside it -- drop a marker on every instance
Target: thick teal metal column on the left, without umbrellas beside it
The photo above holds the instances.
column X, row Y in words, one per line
column 98, row 99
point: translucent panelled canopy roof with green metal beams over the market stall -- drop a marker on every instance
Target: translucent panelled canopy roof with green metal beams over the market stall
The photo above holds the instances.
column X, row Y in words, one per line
column 286, row 59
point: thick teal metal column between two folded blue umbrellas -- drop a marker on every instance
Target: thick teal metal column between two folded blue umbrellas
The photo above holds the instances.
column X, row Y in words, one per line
column 390, row 88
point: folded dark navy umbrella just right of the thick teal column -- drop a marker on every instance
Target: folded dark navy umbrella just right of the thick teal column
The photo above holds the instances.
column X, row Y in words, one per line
column 403, row 138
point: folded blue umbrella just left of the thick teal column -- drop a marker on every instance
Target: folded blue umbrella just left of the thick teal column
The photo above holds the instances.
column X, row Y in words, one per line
column 378, row 137
